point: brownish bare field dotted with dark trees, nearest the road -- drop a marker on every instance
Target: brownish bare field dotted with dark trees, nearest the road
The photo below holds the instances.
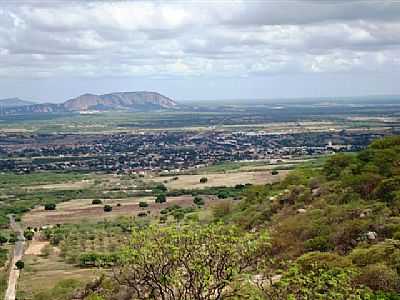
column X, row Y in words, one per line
column 76, row 211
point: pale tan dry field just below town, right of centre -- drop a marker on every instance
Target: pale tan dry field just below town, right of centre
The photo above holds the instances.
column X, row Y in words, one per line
column 221, row 179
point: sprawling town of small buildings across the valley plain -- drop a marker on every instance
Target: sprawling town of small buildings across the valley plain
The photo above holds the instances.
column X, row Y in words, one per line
column 166, row 151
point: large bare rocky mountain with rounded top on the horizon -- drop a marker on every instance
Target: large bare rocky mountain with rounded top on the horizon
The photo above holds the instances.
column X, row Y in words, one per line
column 123, row 100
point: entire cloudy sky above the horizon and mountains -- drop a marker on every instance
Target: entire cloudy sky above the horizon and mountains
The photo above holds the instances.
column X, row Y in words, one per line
column 193, row 50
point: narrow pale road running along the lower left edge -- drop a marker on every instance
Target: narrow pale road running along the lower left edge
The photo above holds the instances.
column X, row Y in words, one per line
column 18, row 253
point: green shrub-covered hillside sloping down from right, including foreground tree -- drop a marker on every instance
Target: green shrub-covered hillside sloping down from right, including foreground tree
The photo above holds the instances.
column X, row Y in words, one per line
column 326, row 232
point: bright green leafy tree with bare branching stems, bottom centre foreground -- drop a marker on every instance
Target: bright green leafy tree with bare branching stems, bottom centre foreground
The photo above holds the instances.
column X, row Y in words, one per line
column 188, row 262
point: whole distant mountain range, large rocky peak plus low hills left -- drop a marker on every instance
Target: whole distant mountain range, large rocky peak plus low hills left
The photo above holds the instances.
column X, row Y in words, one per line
column 134, row 101
